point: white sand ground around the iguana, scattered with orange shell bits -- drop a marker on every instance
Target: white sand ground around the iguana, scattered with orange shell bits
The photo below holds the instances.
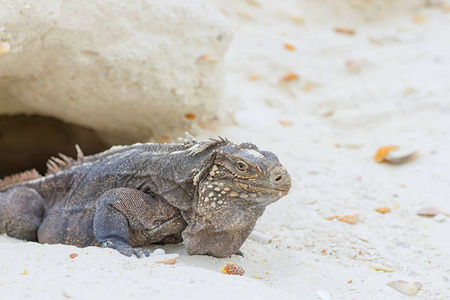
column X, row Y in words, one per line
column 398, row 95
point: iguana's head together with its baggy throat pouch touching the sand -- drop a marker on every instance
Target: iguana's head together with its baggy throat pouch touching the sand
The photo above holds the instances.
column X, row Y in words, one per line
column 235, row 184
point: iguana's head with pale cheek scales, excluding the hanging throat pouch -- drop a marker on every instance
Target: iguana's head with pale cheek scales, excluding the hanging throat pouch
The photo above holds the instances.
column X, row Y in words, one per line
column 244, row 176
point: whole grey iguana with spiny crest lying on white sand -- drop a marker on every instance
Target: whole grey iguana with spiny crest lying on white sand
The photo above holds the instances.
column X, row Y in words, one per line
column 207, row 194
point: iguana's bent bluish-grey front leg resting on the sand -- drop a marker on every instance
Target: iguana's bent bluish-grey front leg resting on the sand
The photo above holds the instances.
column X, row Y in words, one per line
column 122, row 209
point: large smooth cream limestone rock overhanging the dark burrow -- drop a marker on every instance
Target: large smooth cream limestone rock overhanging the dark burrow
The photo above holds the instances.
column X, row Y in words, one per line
column 137, row 68
